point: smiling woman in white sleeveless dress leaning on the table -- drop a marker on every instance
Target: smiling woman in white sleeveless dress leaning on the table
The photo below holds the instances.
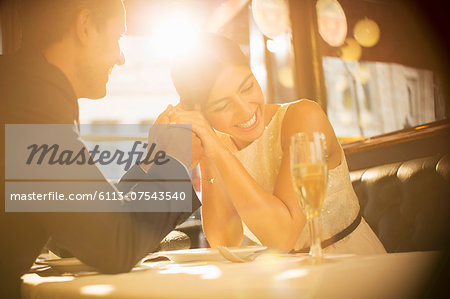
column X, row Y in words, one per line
column 247, row 188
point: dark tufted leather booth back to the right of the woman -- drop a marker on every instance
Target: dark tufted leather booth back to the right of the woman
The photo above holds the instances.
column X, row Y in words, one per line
column 407, row 203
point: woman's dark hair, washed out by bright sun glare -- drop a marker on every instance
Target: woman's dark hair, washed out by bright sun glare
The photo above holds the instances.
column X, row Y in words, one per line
column 195, row 72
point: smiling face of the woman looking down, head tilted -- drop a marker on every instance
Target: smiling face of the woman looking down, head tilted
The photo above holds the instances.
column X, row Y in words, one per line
column 235, row 105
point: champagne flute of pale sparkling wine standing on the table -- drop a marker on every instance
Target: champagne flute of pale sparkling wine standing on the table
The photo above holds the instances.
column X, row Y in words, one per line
column 309, row 170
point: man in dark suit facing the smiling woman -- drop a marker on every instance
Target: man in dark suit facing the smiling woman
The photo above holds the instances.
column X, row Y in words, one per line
column 69, row 49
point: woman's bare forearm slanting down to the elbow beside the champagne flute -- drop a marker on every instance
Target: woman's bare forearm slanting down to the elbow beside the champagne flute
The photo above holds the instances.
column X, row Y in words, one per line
column 276, row 222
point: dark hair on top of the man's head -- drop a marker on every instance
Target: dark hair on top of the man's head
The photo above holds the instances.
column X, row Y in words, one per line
column 45, row 21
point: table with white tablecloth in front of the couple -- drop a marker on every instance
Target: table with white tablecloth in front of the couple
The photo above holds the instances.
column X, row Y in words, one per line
column 396, row 275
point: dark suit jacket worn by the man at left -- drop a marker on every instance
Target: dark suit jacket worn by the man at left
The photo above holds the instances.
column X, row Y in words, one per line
column 32, row 91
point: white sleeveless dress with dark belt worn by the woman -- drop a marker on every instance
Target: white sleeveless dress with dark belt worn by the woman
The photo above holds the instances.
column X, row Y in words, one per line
column 262, row 159
